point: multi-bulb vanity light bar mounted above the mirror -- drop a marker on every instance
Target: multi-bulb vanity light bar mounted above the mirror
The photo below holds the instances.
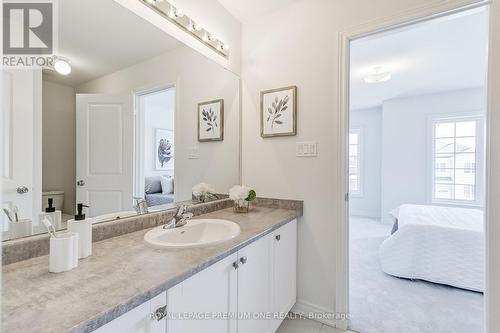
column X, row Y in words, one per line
column 177, row 16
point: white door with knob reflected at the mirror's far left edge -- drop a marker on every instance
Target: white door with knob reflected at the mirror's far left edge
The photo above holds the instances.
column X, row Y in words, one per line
column 22, row 142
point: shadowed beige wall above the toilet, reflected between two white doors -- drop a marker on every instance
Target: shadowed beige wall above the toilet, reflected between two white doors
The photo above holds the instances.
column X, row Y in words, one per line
column 58, row 140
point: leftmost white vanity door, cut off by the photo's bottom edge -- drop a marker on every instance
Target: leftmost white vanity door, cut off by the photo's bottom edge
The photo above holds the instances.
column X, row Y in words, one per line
column 138, row 320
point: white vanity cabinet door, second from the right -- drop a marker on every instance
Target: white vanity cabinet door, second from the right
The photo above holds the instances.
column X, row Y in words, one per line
column 254, row 286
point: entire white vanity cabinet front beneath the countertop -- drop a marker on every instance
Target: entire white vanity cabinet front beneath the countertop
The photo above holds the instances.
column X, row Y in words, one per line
column 240, row 294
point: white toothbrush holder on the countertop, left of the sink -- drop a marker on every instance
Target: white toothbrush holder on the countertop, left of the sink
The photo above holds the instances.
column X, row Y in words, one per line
column 63, row 252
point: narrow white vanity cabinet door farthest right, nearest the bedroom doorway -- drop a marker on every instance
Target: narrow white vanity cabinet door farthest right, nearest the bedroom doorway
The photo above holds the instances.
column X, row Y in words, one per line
column 285, row 267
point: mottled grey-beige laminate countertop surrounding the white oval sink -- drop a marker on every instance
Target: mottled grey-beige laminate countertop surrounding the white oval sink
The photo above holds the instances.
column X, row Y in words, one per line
column 122, row 273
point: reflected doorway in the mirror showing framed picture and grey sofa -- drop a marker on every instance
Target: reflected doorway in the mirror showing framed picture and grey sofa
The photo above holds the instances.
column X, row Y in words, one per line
column 155, row 146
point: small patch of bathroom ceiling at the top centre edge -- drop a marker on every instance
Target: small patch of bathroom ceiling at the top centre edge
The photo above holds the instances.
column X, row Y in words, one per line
column 244, row 10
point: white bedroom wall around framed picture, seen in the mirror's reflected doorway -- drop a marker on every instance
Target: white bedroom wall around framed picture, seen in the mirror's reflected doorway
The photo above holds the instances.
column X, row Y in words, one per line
column 158, row 111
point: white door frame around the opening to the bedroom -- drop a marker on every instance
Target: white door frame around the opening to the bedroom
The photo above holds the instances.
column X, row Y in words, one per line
column 413, row 15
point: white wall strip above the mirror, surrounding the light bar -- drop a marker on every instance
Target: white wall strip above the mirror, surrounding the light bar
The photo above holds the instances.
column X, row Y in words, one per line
column 211, row 15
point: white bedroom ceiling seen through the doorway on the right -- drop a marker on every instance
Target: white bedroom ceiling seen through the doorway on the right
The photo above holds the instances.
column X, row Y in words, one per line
column 448, row 53
